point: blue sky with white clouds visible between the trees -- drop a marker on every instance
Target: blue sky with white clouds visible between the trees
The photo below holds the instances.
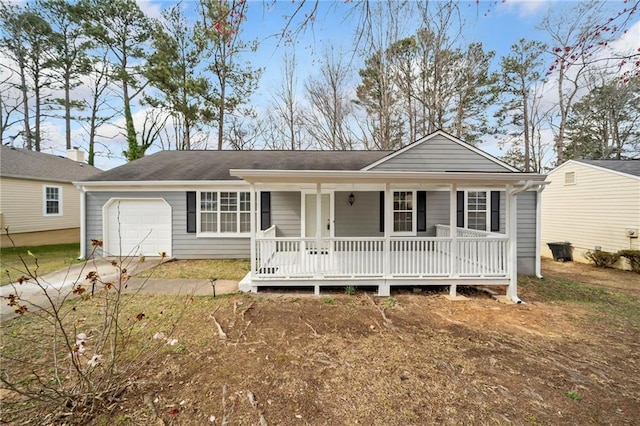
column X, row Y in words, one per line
column 497, row 24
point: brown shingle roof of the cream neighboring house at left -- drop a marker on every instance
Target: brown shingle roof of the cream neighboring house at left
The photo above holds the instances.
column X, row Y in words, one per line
column 26, row 164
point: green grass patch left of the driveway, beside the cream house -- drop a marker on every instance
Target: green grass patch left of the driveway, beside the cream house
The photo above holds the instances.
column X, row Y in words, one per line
column 50, row 259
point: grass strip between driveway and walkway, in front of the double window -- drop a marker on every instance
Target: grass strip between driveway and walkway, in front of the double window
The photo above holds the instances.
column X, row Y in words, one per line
column 222, row 269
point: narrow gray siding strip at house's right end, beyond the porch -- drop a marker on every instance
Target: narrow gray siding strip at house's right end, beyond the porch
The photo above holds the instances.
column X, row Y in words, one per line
column 527, row 232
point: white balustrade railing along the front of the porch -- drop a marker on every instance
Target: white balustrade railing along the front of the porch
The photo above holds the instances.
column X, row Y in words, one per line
column 368, row 257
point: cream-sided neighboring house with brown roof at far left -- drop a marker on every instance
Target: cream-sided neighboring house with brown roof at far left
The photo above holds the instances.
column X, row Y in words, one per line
column 38, row 203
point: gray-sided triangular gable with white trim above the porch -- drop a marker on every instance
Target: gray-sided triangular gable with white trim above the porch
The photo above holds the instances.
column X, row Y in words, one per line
column 435, row 159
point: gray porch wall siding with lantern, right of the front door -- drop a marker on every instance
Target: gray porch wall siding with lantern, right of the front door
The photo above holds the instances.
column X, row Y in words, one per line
column 360, row 220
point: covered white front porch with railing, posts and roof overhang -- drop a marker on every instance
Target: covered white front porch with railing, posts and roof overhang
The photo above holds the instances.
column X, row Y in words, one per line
column 383, row 230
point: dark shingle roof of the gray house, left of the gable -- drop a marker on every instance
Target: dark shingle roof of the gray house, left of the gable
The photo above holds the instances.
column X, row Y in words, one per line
column 215, row 165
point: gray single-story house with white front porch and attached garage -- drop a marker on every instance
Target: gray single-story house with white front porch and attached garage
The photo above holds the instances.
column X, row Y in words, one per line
column 436, row 212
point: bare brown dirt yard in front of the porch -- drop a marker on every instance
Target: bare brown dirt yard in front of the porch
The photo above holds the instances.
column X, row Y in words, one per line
column 570, row 355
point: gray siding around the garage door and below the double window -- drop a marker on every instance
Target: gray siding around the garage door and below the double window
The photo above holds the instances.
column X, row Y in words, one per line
column 184, row 245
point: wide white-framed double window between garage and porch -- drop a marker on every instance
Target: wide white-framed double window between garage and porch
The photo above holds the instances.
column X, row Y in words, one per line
column 225, row 212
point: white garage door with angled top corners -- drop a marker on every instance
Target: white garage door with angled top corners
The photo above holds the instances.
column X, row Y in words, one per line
column 136, row 227
